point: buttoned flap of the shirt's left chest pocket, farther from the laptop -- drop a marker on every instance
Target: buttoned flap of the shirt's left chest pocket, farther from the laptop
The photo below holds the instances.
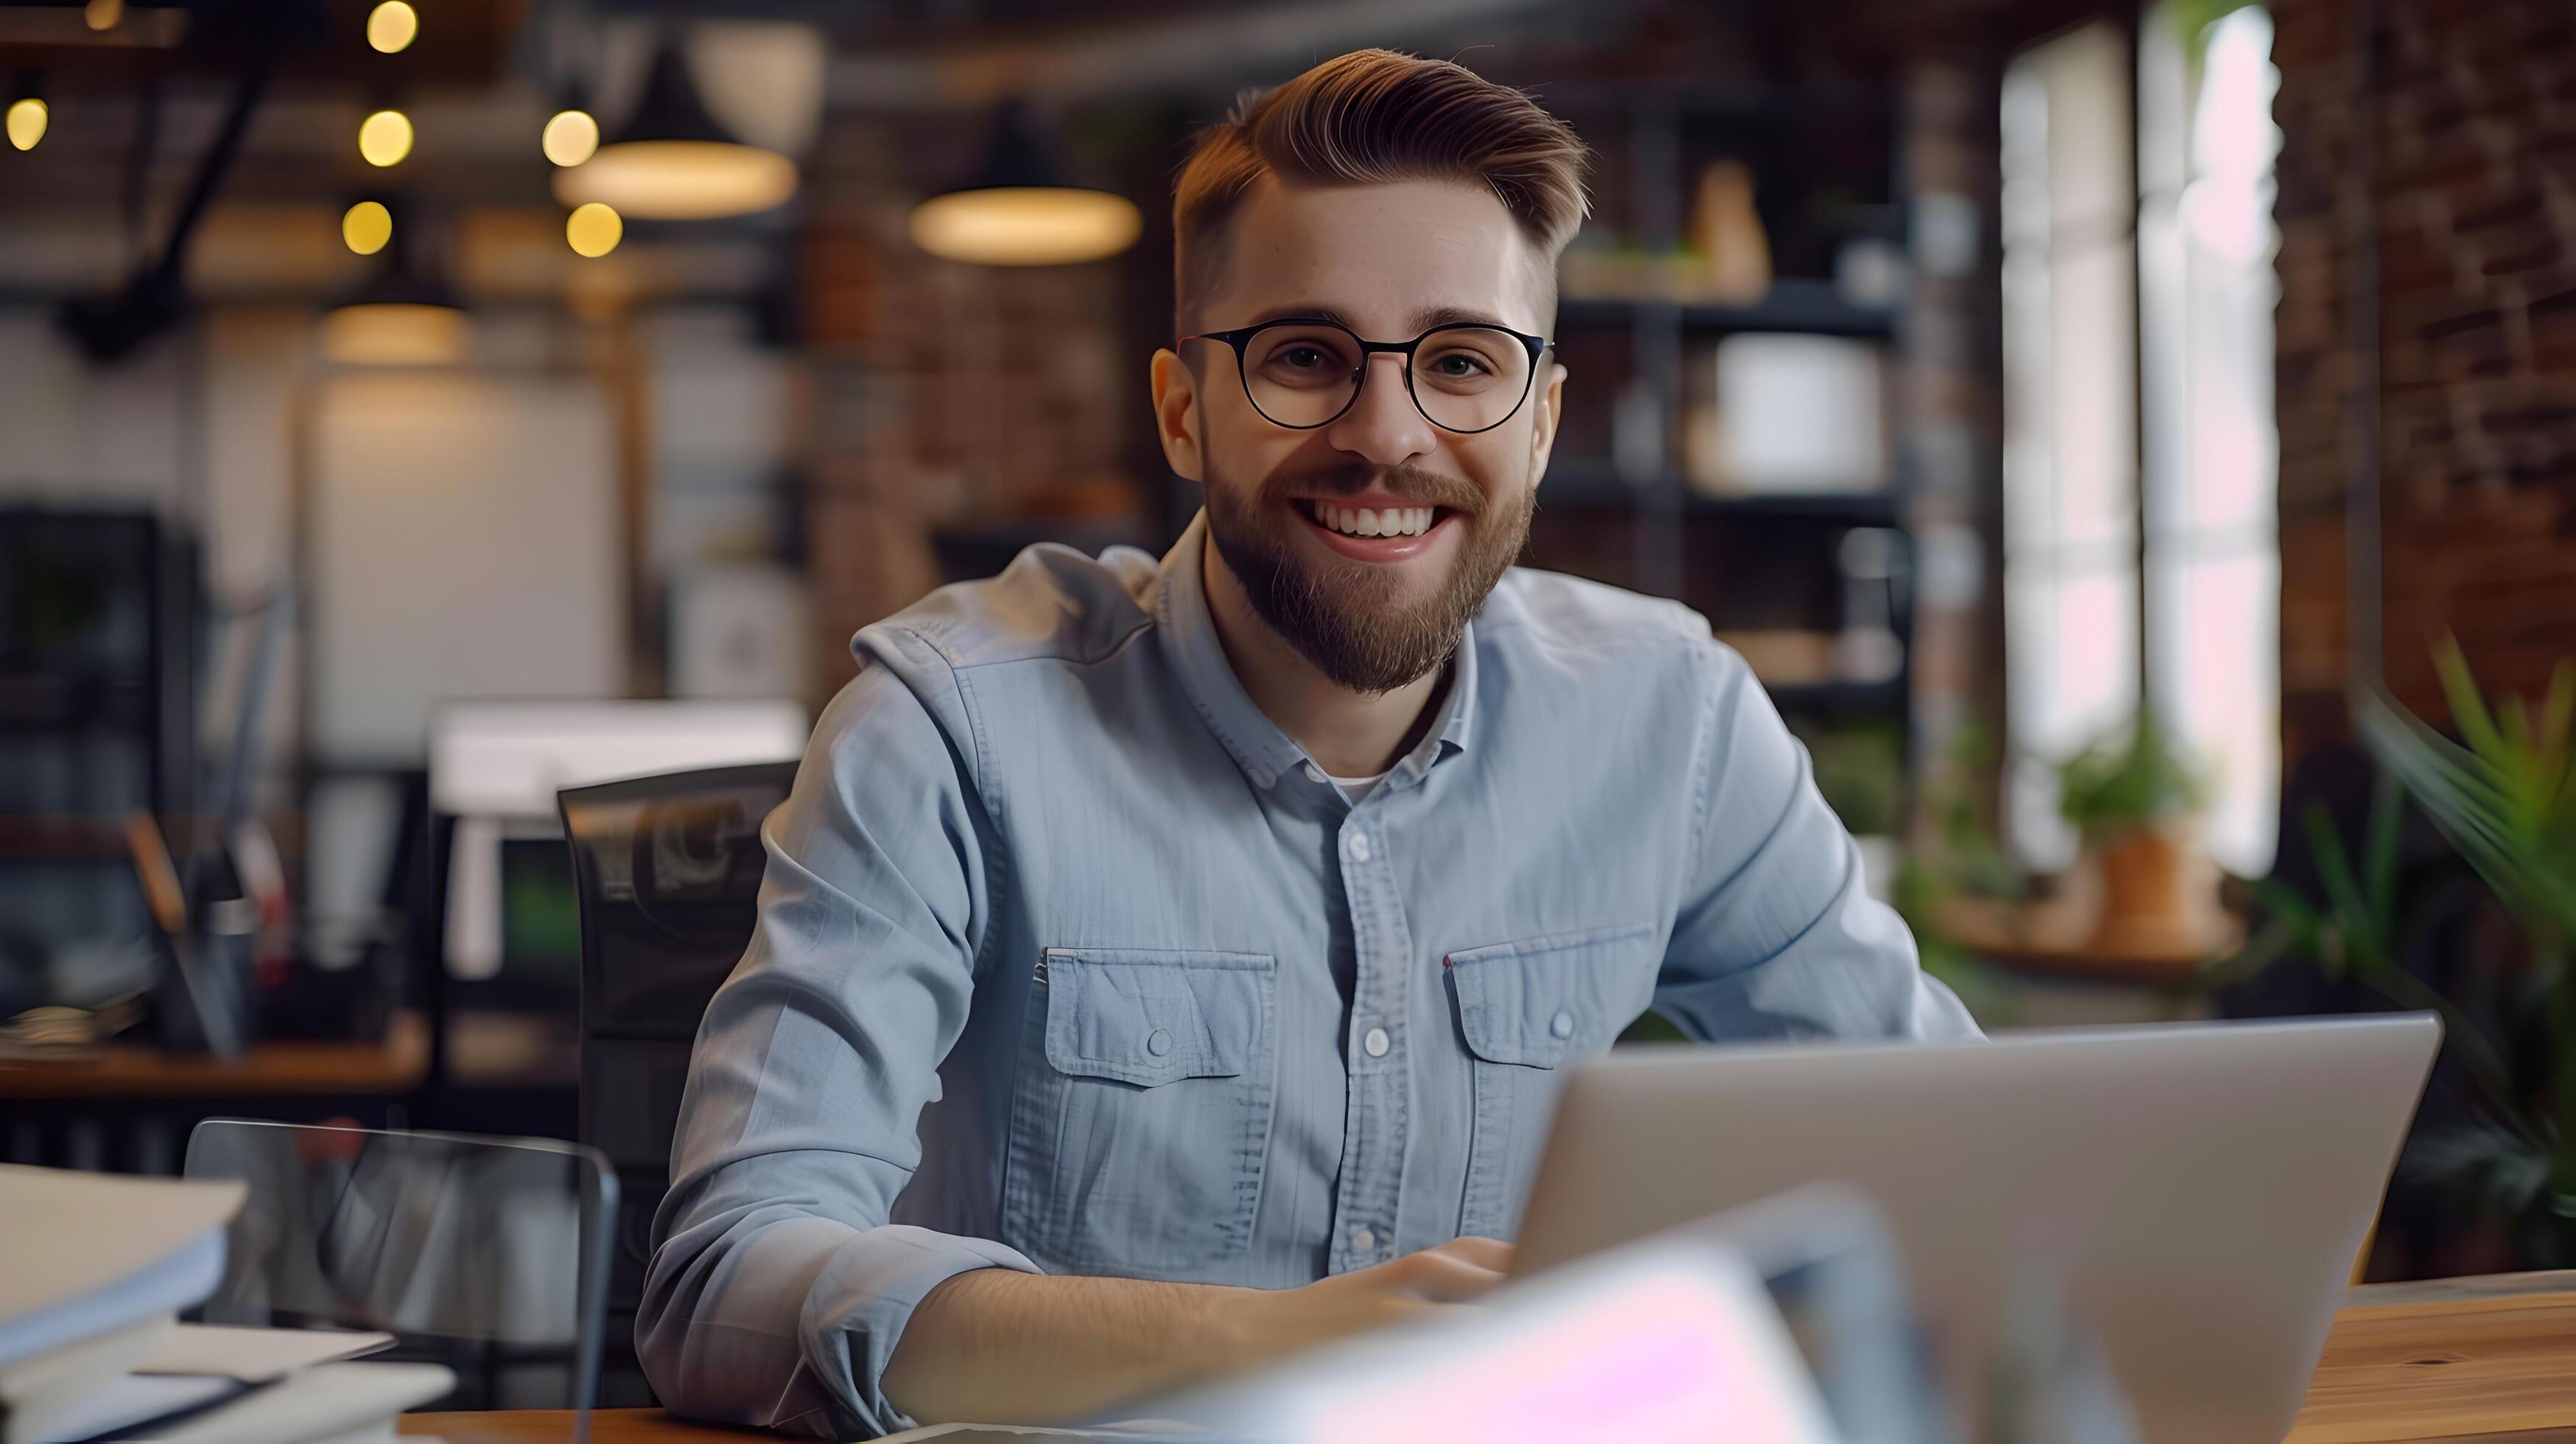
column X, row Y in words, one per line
column 1155, row 1017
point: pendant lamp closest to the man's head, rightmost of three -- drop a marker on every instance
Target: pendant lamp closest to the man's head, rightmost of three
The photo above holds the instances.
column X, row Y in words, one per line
column 1021, row 210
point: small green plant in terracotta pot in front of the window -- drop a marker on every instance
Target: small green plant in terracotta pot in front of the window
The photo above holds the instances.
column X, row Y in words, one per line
column 2137, row 801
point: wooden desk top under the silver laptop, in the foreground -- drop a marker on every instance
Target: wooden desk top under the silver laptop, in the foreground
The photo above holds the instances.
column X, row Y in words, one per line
column 2407, row 1363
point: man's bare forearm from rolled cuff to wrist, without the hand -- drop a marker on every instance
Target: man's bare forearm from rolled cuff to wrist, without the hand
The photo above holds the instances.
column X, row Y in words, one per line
column 1029, row 1347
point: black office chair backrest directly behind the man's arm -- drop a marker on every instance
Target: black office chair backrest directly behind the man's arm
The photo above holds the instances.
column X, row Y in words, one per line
column 668, row 881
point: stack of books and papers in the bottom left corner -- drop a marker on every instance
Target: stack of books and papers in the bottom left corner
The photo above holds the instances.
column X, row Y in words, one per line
column 94, row 1273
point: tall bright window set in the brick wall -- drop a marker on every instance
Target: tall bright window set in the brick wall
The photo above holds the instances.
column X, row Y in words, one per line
column 2139, row 442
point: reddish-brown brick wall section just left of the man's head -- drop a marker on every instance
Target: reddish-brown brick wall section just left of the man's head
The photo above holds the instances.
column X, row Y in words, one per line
column 944, row 396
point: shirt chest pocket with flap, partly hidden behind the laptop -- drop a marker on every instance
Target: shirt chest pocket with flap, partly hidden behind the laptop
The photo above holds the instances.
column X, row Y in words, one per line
column 1524, row 1012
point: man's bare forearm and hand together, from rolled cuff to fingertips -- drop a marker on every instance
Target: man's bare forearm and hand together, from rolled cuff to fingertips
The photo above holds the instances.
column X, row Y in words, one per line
column 1003, row 1347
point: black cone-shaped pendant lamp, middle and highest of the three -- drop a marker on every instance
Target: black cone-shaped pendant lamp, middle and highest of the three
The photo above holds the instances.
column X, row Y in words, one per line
column 674, row 161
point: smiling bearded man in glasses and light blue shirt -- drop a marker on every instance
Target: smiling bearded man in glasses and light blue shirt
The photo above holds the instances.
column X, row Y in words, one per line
column 1171, row 966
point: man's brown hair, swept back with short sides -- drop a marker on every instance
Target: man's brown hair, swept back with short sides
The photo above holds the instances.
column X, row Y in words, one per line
column 1367, row 120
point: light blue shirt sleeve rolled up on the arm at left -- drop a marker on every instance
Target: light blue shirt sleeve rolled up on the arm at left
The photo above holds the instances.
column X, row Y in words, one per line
column 779, row 1291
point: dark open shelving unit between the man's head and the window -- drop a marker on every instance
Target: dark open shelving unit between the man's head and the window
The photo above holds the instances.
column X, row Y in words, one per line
column 1616, row 502
